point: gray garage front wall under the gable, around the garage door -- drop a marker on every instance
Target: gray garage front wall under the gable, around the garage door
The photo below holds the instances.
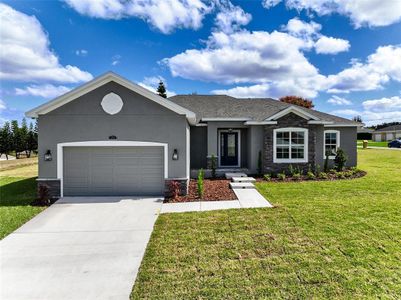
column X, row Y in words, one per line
column 140, row 119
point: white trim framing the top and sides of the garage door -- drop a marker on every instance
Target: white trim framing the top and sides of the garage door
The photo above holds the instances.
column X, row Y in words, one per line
column 61, row 146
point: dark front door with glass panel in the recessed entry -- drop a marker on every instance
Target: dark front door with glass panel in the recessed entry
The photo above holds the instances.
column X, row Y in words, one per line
column 229, row 149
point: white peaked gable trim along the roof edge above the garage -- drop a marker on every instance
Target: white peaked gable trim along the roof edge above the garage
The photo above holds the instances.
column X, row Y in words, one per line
column 101, row 80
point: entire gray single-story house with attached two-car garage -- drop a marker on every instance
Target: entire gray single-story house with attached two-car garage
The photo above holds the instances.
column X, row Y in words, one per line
column 113, row 137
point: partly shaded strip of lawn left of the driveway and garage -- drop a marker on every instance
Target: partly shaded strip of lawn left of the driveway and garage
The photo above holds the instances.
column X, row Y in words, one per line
column 17, row 191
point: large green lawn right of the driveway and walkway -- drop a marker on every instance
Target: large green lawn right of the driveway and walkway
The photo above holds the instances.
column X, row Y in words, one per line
column 327, row 240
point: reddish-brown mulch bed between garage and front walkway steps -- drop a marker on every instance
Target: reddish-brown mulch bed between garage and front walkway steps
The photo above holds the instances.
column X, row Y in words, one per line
column 214, row 190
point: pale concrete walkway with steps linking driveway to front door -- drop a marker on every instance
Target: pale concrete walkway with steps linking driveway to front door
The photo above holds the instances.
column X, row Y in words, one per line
column 248, row 197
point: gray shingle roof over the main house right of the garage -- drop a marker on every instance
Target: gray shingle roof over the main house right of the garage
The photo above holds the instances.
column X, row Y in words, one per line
column 256, row 109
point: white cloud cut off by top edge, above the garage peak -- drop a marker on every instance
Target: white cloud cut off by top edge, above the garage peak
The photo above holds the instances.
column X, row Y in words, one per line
column 165, row 15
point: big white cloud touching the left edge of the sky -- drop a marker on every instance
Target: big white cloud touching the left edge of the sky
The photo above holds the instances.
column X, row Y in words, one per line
column 25, row 53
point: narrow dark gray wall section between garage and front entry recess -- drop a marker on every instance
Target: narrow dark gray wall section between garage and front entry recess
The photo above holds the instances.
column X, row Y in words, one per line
column 198, row 147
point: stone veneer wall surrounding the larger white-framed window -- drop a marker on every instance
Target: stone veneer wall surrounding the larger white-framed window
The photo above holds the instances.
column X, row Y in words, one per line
column 290, row 120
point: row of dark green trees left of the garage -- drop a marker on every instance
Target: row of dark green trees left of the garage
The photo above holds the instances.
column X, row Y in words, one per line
column 18, row 138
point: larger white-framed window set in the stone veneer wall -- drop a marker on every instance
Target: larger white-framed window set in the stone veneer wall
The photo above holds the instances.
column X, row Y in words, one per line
column 290, row 145
